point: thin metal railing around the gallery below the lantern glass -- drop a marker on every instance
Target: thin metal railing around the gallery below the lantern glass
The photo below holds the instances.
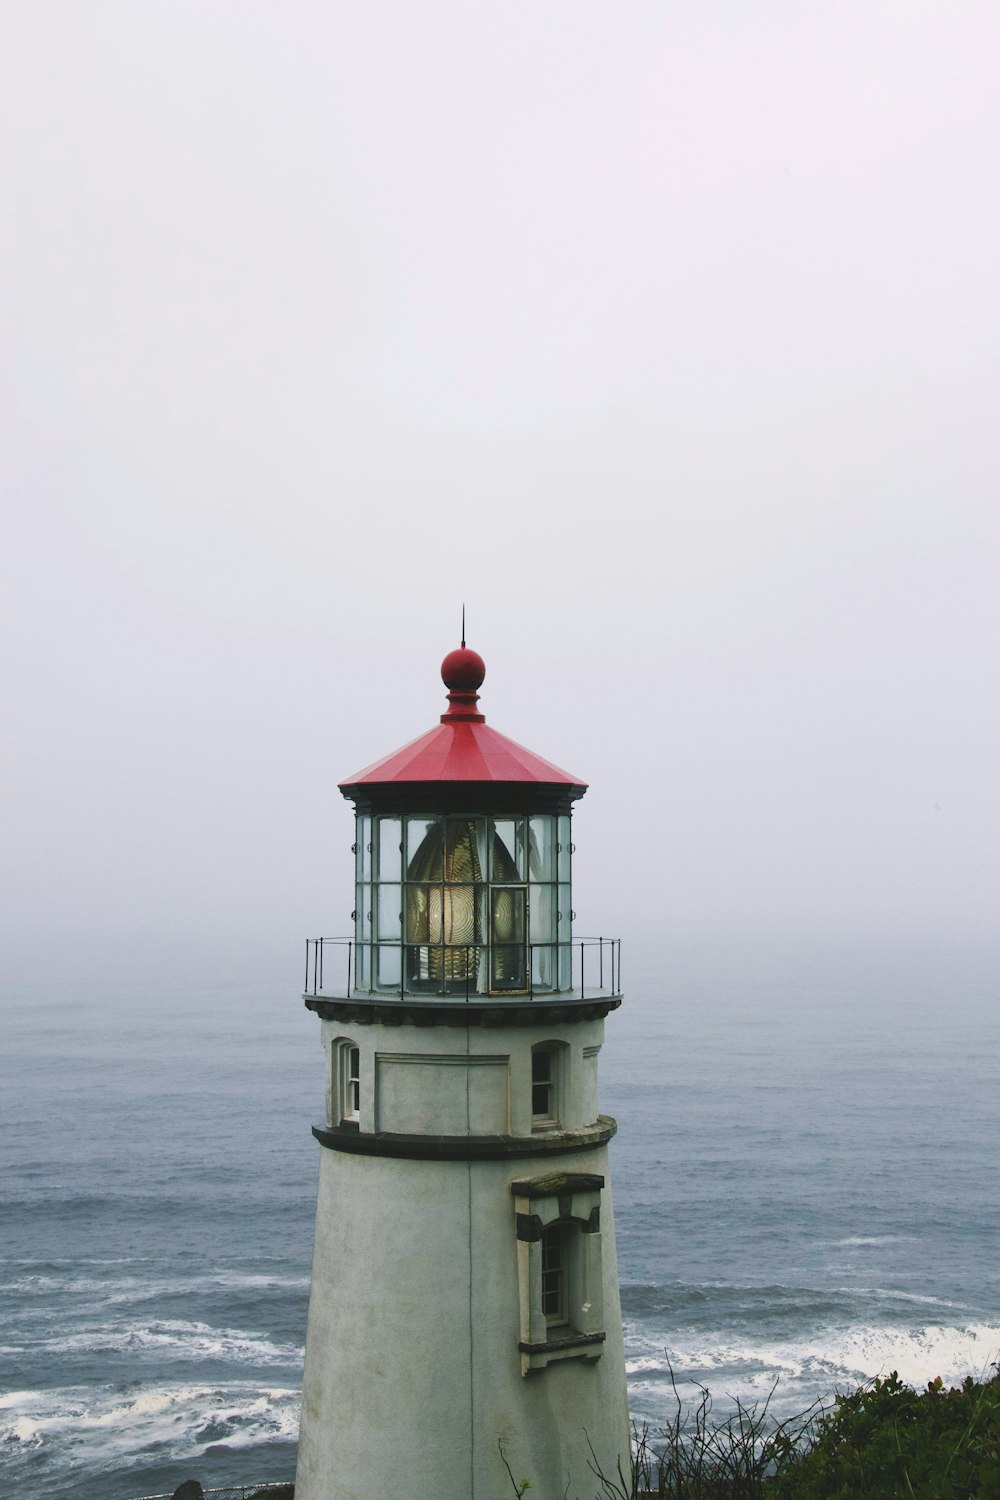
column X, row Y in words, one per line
column 578, row 970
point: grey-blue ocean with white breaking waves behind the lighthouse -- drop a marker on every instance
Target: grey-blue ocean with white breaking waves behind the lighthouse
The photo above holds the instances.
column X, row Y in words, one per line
column 807, row 1178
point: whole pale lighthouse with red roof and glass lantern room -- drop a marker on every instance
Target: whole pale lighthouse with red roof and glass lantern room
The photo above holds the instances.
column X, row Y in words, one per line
column 464, row 1315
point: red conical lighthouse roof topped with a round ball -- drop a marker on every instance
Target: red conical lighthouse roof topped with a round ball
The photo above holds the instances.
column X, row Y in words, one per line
column 463, row 748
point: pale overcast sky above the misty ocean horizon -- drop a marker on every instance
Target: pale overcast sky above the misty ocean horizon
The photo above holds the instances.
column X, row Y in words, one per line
column 666, row 337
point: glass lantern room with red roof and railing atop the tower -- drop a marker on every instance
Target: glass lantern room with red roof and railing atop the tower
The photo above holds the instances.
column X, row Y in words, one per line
column 463, row 871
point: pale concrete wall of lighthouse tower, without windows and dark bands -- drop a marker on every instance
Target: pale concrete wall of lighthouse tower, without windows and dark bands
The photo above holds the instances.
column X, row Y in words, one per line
column 413, row 1364
